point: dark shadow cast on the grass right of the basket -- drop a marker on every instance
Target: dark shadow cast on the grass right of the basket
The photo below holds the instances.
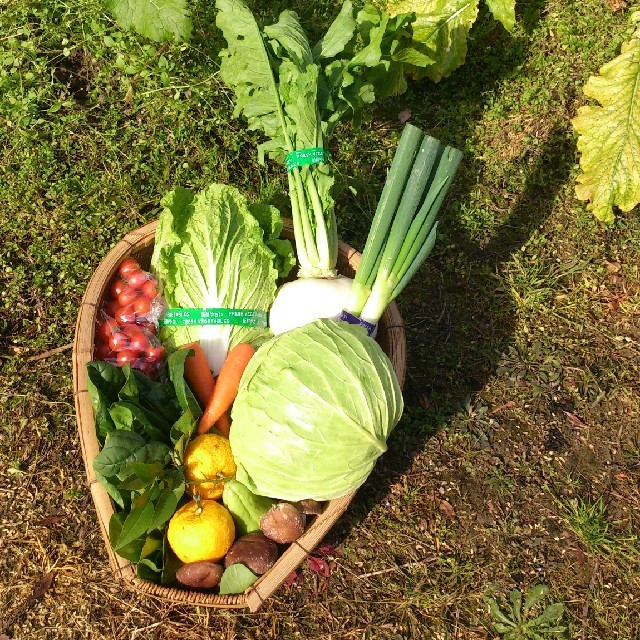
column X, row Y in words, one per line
column 458, row 316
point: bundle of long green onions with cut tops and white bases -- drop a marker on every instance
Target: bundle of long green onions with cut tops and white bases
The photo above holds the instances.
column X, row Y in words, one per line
column 403, row 231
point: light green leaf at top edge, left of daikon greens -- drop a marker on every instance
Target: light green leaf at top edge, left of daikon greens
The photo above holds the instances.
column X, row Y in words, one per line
column 158, row 20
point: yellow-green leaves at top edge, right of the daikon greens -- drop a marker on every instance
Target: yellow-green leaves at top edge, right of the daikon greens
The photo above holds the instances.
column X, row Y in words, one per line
column 440, row 32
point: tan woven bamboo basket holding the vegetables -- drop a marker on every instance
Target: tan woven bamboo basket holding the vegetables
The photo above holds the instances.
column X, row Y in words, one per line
column 139, row 244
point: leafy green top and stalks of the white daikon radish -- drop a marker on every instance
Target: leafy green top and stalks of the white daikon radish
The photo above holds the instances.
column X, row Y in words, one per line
column 295, row 94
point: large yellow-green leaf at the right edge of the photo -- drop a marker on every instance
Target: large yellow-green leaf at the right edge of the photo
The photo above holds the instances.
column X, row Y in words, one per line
column 609, row 136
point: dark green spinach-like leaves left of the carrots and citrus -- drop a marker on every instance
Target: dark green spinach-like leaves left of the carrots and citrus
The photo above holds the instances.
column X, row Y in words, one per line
column 142, row 425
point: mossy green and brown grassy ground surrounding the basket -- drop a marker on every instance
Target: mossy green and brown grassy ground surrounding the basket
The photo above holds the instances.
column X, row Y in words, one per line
column 522, row 398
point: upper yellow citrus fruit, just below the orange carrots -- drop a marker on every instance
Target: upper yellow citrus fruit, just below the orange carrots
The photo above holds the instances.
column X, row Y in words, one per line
column 208, row 457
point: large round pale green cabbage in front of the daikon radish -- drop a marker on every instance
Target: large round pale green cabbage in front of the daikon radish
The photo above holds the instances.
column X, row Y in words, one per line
column 313, row 413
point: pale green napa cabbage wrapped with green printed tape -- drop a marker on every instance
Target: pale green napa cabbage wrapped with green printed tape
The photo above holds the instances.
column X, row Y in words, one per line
column 210, row 253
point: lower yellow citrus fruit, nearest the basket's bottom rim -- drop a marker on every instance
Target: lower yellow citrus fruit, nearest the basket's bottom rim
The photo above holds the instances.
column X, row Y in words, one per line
column 201, row 530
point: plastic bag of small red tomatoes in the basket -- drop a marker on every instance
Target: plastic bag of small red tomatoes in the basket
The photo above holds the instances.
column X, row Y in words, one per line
column 128, row 320
